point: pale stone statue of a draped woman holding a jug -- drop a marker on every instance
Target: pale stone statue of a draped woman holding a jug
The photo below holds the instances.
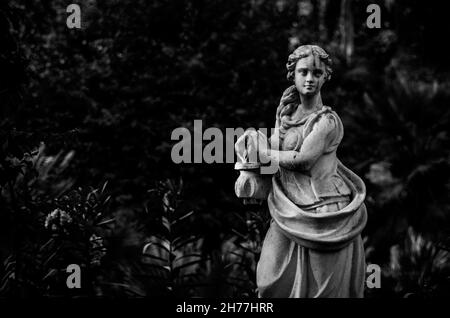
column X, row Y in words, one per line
column 313, row 247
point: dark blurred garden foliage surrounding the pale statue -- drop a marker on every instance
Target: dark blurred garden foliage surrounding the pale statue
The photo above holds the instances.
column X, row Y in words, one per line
column 86, row 175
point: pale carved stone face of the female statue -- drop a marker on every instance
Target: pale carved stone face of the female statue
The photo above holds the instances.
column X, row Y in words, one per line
column 310, row 74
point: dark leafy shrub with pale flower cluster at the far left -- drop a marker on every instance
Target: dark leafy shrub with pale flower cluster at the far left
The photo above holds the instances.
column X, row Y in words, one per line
column 54, row 225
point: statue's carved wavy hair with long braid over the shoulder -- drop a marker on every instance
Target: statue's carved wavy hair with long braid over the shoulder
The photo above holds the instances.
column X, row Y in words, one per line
column 291, row 98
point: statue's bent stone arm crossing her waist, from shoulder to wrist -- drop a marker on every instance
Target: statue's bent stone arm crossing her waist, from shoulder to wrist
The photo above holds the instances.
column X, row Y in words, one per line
column 312, row 148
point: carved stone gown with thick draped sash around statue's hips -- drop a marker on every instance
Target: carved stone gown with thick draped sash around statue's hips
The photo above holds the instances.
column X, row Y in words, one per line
column 313, row 247
